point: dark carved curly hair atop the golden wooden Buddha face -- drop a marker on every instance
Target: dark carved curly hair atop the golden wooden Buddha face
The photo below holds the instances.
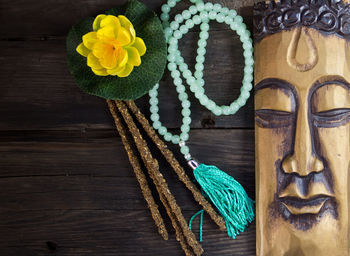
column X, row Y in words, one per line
column 327, row 16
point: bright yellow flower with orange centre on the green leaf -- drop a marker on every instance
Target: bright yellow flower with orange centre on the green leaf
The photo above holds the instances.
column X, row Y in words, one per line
column 112, row 48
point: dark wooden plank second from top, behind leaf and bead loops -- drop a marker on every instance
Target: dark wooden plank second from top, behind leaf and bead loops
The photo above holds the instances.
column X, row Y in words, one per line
column 38, row 92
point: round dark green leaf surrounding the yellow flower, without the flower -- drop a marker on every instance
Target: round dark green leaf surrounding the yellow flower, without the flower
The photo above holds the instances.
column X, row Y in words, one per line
column 143, row 78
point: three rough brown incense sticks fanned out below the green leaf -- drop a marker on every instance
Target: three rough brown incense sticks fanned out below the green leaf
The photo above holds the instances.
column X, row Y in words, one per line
column 133, row 140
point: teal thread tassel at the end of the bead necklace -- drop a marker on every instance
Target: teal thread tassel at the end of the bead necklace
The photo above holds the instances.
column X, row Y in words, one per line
column 228, row 196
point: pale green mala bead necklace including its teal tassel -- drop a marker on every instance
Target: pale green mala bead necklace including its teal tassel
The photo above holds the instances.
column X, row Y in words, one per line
column 225, row 192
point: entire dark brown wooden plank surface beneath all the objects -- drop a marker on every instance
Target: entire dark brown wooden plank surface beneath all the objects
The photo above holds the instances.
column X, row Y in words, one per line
column 66, row 187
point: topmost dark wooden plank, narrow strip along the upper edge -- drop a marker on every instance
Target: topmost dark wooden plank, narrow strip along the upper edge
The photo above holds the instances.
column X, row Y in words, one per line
column 55, row 18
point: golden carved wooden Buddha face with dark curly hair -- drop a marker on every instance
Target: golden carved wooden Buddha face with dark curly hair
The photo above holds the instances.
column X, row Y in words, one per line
column 302, row 127
